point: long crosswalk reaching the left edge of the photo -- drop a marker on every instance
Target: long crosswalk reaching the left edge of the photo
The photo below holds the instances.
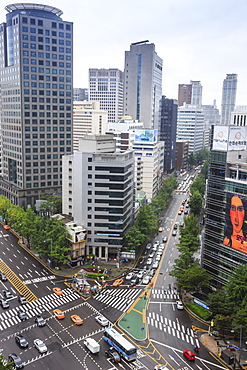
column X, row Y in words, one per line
column 47, row 303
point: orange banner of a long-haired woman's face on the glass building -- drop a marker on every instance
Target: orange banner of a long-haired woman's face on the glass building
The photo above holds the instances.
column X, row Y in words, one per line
column 236, row 222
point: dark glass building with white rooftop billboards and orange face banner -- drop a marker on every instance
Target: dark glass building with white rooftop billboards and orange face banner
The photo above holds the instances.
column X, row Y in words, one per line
column 227, row 184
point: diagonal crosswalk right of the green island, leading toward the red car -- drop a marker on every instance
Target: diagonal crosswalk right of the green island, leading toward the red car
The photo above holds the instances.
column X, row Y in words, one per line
column 172, row 327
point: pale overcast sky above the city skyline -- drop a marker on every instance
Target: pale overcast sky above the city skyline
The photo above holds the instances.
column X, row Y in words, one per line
column 197, row 39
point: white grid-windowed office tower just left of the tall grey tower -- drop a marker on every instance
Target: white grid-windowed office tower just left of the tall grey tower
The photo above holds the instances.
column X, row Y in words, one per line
column 106, row 86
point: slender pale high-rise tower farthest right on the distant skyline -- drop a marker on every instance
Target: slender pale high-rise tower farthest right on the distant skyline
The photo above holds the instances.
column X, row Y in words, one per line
column 229, row 92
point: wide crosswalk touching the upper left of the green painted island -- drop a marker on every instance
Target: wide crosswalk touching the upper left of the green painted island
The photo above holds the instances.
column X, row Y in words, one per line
column 120, row 299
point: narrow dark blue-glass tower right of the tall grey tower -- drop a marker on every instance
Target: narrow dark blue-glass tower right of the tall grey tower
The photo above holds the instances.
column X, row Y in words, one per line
column 168, row 129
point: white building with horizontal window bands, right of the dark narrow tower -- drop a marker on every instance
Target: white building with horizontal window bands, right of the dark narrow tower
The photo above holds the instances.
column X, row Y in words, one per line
column 190, row 127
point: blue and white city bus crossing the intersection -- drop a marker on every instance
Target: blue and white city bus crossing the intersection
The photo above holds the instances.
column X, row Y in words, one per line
column 126, row 349
